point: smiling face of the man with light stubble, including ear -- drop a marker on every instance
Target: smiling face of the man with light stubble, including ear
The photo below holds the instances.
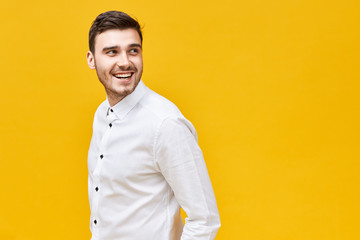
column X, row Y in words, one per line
column 118, row 62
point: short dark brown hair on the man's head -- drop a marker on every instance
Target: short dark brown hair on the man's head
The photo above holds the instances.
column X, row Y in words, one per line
column 111, row 20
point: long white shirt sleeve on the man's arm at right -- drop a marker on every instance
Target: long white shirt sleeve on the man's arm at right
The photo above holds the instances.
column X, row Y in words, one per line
column 181, row 162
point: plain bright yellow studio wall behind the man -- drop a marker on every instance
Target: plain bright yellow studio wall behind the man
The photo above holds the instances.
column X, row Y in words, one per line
column 271, row 86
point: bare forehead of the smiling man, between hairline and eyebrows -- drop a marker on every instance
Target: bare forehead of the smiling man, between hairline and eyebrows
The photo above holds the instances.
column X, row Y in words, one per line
column 117, row 37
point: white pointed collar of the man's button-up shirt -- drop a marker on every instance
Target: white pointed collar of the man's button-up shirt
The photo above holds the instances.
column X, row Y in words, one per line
column 126, row 104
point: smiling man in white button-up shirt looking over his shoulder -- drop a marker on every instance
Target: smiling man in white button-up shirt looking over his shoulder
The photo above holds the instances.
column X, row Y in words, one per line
column 144, row 161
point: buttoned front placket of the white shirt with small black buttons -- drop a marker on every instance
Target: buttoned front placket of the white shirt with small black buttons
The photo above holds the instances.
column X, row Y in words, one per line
column 97, row 184
